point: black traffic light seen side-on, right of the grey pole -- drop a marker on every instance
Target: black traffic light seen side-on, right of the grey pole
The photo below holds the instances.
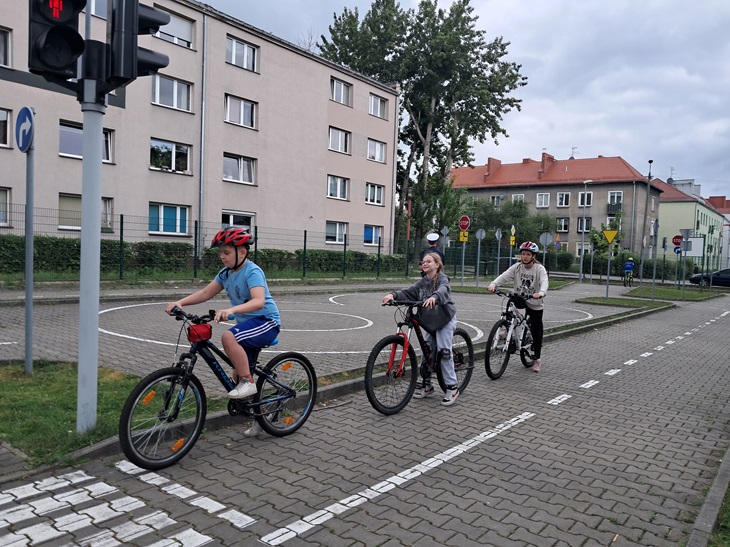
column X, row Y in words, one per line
column 126, row 20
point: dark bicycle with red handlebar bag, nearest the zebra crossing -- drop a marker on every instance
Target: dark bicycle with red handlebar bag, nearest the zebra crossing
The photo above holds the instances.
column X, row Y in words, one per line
column 164, row 414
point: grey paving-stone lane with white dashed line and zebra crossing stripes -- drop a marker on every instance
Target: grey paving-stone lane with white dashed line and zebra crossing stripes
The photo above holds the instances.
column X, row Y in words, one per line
column 618, row 441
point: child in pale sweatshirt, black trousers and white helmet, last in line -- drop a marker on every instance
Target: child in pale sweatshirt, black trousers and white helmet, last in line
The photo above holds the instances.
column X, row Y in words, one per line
column 530, row 279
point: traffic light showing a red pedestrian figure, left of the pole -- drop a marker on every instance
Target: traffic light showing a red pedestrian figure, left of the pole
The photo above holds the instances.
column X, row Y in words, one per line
column 54, row 42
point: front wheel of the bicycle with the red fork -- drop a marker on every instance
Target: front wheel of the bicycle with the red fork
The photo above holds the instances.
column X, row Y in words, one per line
column 388, row 385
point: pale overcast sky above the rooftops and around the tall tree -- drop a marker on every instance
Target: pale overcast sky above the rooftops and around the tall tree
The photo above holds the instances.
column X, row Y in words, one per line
column 640, row 79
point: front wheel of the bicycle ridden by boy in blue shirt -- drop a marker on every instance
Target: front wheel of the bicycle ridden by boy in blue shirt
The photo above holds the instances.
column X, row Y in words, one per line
column 162, row 419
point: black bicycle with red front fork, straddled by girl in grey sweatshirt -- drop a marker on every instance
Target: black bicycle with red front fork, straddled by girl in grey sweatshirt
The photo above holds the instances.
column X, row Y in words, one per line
column 391, row 373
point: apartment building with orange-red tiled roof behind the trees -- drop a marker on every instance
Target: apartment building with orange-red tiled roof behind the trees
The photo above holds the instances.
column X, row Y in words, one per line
column 579, row 193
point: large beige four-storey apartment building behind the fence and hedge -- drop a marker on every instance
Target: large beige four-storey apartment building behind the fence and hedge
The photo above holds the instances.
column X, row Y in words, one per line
column 241, row 128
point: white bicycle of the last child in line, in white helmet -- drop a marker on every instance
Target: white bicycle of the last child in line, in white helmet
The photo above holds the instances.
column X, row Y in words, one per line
column 502, row 341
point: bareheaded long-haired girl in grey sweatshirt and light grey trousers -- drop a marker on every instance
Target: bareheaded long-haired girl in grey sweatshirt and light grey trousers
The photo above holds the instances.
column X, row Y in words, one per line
column 434, row 290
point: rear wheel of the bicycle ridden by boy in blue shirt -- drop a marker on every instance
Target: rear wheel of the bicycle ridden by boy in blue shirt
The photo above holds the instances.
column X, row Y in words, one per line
column 279, row 414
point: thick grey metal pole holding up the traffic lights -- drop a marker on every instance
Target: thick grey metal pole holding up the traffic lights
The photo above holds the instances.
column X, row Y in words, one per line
column 93, row 139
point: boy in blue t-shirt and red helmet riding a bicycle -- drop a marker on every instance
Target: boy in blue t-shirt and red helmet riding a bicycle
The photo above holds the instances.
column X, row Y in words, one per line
column 257, row 317
